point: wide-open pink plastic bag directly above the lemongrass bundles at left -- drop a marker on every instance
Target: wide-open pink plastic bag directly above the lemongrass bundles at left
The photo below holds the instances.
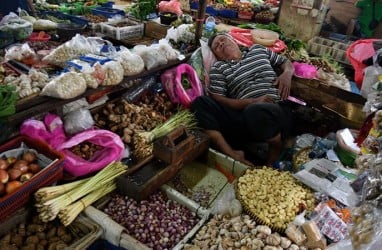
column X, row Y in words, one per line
column 112, row 150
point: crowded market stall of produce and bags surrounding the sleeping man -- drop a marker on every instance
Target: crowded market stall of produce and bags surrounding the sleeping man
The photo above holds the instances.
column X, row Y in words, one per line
column 98, row 144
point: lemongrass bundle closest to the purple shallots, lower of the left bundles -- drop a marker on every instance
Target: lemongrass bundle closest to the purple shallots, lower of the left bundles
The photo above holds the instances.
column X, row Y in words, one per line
column 69, row 213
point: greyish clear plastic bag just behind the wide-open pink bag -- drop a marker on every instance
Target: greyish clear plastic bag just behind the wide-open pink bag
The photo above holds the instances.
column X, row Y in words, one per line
column 77, row 121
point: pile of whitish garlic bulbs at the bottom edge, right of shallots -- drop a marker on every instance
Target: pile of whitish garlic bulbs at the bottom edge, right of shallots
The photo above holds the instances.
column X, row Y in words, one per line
column 240, row 232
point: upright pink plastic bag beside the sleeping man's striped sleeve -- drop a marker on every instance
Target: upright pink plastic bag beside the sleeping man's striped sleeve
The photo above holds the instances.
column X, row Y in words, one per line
column 172, row 83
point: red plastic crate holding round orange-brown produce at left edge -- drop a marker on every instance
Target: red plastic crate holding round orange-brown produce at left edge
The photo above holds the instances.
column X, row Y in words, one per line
column 47, row 176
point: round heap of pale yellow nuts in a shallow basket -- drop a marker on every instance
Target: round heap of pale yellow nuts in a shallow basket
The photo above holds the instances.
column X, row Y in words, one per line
column 273, row 196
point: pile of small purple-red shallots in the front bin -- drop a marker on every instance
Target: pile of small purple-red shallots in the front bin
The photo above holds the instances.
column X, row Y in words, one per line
column 158, row 222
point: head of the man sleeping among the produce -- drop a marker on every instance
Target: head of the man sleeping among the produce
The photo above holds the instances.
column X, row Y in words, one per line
column 224, row 47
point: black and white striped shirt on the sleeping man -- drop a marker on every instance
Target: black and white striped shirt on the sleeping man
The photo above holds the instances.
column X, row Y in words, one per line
column 251, row 77
